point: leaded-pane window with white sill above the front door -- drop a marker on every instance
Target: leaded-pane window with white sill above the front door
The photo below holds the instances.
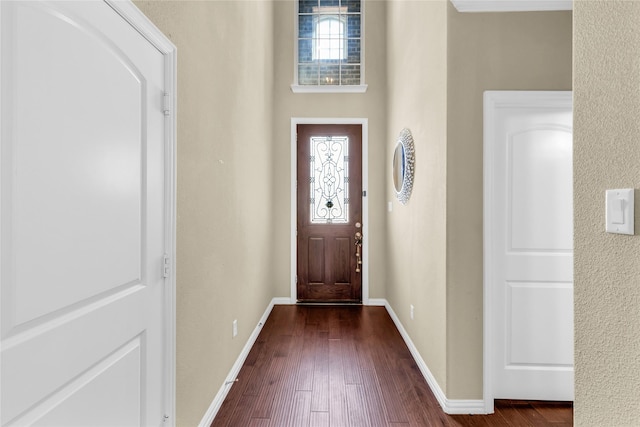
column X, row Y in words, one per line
column 329, row 48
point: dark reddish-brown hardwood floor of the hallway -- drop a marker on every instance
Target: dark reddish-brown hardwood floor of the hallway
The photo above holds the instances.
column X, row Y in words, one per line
column 348, row 366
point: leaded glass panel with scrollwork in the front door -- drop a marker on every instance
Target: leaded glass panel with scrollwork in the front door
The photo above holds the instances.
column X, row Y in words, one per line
column 329, row 179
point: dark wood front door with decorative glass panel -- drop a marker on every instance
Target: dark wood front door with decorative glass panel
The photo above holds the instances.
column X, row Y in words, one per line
column 329, row 213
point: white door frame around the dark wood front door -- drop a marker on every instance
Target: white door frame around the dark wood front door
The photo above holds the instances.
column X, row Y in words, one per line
column 295, row 121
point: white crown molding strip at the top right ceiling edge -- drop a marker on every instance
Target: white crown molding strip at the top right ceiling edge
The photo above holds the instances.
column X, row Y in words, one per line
column 511, row 5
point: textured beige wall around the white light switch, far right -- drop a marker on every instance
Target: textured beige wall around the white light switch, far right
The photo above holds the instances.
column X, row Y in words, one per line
column 607, row 266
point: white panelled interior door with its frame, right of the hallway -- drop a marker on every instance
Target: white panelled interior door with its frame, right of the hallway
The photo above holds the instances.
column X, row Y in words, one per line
column 529, row 243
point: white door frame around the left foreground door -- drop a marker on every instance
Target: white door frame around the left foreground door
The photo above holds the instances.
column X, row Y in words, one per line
column 130, row 13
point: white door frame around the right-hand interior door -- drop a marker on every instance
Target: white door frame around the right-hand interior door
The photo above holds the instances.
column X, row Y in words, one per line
column 494, row 100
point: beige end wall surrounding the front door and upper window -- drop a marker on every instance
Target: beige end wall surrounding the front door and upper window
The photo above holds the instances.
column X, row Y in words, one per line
column 371, row 105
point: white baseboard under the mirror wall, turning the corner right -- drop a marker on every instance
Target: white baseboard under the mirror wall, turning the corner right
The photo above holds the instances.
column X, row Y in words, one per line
column 449, row 406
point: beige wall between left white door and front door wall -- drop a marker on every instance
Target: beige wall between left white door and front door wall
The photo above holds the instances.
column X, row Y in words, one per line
column 225, row 190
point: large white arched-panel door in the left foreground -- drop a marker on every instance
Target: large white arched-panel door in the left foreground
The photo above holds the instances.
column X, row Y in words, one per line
column 82, row 218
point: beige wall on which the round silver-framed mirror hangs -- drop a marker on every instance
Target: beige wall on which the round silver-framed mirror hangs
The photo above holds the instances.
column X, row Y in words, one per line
column 417, row 82
